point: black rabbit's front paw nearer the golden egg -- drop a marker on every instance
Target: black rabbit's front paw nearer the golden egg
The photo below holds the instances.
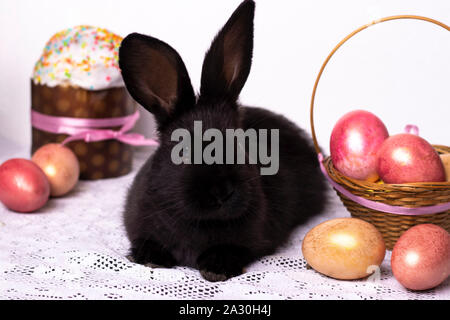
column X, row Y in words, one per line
column 222, row 262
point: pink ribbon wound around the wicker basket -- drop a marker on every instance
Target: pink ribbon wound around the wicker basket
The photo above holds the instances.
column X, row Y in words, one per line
column 379, row 206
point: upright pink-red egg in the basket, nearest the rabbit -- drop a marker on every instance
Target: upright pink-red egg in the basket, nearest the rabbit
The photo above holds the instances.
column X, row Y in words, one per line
column 354, row 144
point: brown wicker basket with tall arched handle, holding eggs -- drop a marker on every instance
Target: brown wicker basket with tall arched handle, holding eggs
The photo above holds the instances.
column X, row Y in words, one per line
column 412, row 195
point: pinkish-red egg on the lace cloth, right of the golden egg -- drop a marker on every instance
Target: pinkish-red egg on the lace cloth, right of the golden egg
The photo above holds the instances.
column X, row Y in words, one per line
column 421, row 257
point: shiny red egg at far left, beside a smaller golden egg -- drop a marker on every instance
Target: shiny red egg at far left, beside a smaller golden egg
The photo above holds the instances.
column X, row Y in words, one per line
column 23, row 185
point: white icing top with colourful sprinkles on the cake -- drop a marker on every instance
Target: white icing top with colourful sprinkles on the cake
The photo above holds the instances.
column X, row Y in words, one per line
column 82, row 56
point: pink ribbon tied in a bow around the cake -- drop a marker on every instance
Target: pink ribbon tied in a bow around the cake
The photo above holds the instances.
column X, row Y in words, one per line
column 88, row 129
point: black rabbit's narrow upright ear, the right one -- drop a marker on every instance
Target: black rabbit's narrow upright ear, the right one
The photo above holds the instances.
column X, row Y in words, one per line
column 227, row 63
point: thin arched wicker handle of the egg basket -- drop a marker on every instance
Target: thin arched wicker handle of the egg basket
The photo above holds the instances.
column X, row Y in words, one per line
column 398, row 17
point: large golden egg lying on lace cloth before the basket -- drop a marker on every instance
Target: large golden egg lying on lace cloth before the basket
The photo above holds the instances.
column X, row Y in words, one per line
column 344, row 248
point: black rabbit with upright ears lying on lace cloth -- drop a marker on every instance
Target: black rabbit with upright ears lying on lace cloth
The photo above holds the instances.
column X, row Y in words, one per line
column 217, row 218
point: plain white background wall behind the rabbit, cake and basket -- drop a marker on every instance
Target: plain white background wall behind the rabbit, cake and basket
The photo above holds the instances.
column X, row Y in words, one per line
column 398, row 70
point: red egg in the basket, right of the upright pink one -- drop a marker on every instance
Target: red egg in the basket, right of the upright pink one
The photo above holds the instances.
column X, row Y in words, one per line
column 405, row 158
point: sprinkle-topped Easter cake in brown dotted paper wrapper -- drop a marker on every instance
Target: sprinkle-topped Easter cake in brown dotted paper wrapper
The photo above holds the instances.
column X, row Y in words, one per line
column 77, row 76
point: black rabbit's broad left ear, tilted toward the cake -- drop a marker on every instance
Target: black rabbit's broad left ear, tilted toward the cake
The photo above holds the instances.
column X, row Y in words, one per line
column 155, row 76
